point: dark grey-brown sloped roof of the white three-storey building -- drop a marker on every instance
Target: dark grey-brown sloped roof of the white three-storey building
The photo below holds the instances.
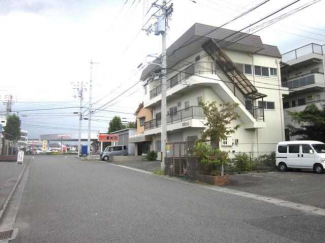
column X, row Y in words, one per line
column 193, row 39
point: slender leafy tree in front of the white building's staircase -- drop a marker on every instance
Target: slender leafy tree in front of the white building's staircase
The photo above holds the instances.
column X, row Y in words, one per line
column 217, row 122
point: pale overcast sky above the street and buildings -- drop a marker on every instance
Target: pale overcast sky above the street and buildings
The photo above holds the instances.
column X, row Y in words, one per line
column 48, row 44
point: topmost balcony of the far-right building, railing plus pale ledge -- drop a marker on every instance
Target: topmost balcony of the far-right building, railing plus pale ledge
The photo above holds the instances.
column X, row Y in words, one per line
column 303, row 54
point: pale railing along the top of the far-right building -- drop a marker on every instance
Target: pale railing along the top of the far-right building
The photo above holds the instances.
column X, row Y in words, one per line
column 302, row 51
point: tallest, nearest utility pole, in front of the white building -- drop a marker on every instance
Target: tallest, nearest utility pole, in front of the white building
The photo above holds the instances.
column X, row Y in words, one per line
column 160, row 28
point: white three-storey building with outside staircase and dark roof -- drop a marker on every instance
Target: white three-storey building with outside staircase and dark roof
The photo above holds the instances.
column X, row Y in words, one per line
column 214, row 64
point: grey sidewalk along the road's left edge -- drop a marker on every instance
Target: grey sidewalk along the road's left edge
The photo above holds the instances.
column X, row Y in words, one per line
column 9, row 172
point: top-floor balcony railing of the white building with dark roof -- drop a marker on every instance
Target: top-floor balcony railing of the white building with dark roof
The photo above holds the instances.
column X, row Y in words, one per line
column 201, row 67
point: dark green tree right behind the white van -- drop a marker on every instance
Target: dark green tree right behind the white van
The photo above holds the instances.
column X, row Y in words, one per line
column 311, row 121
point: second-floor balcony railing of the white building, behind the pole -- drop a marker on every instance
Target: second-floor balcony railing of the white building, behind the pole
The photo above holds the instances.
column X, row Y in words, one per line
column 193, row 112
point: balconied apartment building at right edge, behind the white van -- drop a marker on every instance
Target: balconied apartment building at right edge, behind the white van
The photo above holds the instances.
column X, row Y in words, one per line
column 302, row 71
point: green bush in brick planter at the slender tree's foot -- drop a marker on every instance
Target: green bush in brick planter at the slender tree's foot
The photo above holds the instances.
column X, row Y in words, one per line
column 210, row 159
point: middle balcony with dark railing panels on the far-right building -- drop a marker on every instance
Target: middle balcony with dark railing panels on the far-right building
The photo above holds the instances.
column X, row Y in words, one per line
column 306, row 82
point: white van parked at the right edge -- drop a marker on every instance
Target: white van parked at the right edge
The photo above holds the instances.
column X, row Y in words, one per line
column 301, row 155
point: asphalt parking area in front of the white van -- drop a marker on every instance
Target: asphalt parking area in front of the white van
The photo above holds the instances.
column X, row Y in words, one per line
column 304, row 187
